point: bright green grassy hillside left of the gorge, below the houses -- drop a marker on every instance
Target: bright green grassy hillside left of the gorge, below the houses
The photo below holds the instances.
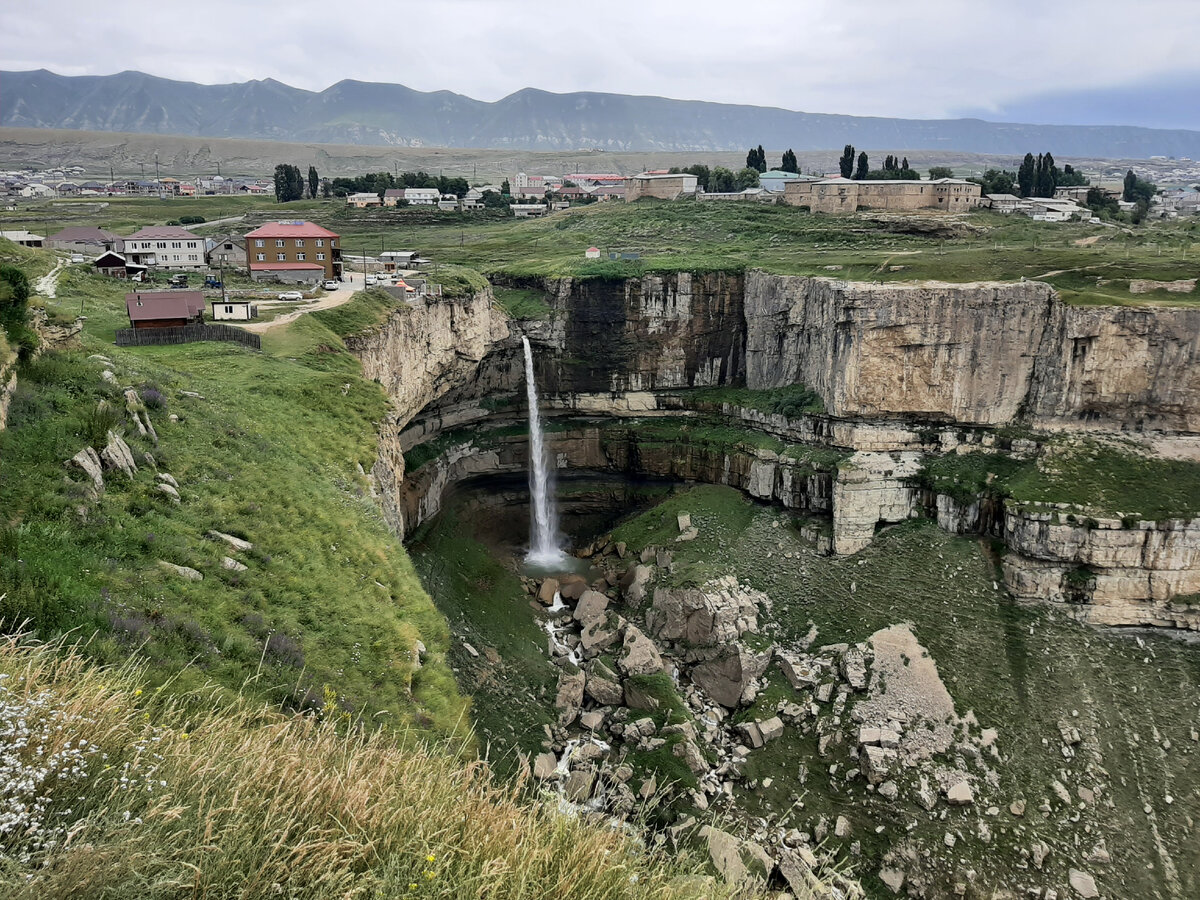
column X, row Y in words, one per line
column 271, row 454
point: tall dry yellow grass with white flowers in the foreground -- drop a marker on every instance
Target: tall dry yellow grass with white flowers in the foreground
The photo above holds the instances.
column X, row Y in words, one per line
column 155, row 797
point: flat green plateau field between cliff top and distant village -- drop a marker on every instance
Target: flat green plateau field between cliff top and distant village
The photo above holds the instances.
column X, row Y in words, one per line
column 1089, row 265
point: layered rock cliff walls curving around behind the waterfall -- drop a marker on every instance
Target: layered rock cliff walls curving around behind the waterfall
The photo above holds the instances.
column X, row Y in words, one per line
column 664, row 376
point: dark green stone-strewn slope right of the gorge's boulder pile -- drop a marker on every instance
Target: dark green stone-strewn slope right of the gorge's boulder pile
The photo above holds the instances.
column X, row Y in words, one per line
column 1010, row 664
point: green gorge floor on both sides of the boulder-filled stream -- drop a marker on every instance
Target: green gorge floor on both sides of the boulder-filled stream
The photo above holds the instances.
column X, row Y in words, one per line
column 1129, row 790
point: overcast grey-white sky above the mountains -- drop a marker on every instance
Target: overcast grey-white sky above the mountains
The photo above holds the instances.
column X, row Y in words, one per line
column 920, row 59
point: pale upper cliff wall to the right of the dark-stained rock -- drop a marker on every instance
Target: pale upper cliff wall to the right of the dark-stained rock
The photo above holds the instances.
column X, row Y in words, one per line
column 979, row 355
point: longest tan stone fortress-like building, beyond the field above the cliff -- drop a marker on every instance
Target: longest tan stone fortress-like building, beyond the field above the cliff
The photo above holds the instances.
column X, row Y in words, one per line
column 950, row 195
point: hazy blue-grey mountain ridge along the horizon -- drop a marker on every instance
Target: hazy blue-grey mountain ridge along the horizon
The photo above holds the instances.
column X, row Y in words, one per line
column 392, row 115
